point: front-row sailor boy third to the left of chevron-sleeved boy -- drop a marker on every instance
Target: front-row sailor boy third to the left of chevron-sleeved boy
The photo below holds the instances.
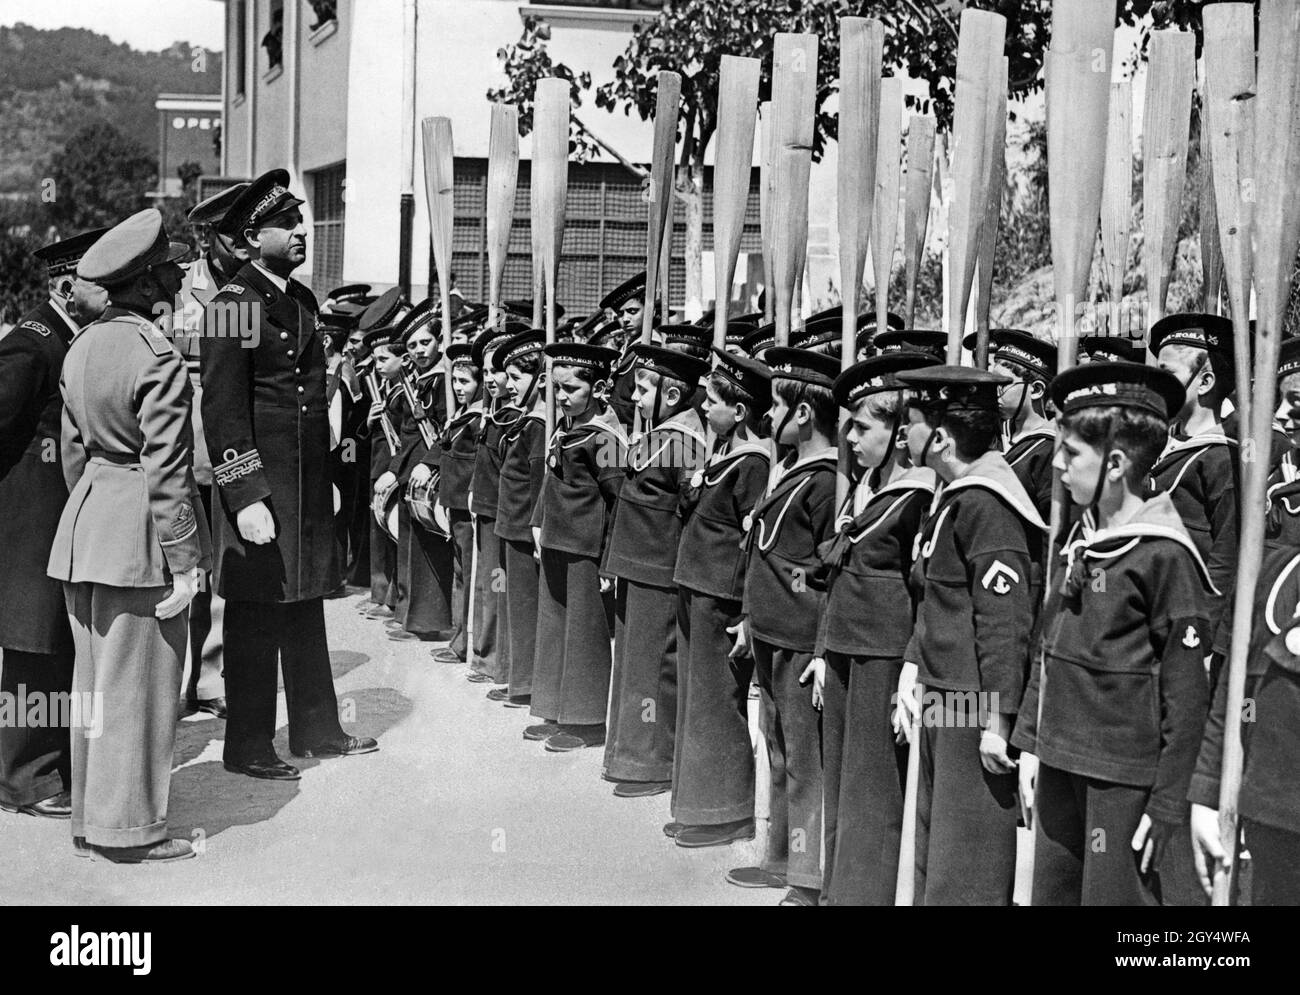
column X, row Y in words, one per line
column 713, row 771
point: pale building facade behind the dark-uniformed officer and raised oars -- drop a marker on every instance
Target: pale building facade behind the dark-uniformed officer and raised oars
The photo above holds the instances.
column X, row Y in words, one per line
column 317, row 88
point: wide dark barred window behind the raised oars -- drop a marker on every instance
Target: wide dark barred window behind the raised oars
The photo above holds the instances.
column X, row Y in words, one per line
column 605, row 235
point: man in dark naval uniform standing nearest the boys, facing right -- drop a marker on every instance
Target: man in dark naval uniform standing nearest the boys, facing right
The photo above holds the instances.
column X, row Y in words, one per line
column 268, row 432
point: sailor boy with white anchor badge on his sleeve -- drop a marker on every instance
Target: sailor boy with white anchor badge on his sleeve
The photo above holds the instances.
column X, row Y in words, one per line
column 1117, row 696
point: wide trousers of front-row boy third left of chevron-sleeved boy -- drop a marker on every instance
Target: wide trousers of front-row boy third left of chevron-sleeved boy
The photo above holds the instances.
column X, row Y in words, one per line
column 713, row 767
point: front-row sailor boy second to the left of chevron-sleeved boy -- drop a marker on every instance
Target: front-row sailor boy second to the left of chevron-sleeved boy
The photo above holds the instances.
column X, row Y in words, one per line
column 785, row 591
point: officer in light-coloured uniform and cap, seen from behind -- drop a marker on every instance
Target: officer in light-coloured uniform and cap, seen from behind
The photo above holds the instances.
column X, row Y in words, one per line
column 129, row 546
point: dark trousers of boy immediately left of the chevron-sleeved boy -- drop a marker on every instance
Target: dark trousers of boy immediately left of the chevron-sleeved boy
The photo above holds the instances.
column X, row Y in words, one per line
column 865, row 776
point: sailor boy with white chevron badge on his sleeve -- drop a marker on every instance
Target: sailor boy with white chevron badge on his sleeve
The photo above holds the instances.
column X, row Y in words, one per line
column 980, row 589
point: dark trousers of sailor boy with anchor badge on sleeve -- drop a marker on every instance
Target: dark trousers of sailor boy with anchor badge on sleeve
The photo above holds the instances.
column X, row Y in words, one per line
column 1082, row 842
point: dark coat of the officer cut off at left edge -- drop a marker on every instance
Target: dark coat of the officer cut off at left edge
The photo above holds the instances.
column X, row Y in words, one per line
column 33, row 617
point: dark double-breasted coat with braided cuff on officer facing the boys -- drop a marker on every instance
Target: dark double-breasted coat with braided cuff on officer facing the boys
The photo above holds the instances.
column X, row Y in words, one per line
column 267, row 421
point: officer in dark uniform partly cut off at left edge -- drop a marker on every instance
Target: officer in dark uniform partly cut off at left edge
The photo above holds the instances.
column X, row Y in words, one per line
column 38, row 648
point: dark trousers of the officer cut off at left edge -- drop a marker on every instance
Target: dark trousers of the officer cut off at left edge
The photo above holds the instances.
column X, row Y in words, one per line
column 36, row 762
